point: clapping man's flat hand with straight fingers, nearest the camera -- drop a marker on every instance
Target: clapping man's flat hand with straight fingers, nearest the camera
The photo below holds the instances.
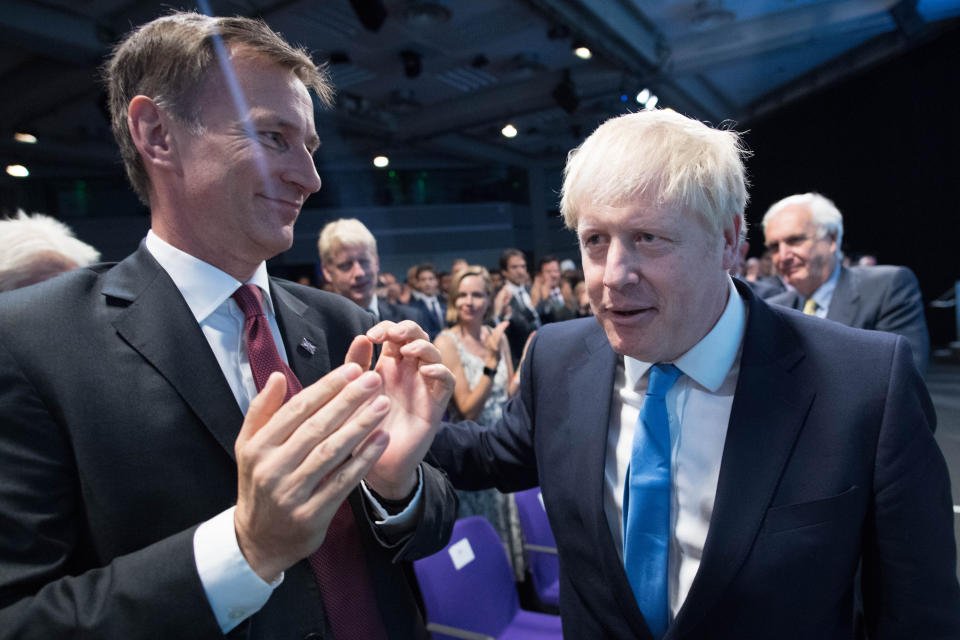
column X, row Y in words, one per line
column 297, row 462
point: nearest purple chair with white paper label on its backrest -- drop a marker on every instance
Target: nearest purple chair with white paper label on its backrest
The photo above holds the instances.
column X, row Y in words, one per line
column 469, row 592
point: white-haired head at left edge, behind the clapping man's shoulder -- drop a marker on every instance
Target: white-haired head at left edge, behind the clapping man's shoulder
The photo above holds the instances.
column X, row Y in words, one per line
column 37, row 247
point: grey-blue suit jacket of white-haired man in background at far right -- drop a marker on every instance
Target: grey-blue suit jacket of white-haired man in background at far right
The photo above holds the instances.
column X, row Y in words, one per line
column 882, row 298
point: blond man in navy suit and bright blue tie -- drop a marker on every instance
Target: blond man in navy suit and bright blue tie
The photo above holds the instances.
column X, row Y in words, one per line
column 713, row 466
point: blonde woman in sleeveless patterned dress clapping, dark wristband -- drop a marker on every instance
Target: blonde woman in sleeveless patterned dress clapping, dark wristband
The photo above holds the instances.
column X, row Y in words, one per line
column 479, row 358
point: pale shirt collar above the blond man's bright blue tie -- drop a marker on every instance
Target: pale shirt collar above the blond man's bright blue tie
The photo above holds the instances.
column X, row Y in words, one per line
column 708, row 361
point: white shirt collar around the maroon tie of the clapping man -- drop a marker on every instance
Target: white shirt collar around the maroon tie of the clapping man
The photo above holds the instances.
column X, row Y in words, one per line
column 203, row 286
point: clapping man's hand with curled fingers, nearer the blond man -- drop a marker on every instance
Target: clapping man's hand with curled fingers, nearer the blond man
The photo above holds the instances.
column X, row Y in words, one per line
column 418, row 386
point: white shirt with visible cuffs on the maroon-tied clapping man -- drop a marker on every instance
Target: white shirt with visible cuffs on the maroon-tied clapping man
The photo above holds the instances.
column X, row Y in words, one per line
column 233, row 589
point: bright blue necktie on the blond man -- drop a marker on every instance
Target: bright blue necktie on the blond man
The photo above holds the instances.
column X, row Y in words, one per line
column 646, row 502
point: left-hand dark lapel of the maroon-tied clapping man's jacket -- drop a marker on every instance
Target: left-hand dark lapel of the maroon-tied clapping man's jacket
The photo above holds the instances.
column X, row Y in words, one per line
column 159, row 326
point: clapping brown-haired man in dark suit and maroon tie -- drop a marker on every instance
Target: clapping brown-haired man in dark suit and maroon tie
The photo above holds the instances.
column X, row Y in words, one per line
column 189, row 447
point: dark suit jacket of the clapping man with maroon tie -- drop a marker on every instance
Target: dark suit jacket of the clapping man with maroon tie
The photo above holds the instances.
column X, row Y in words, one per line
column 116, row 440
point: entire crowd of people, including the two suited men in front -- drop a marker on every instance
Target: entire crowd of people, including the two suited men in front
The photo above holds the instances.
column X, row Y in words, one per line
column 192, row 448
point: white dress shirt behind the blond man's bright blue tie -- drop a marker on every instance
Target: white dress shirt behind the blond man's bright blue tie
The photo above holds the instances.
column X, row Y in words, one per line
column 698, row 407
